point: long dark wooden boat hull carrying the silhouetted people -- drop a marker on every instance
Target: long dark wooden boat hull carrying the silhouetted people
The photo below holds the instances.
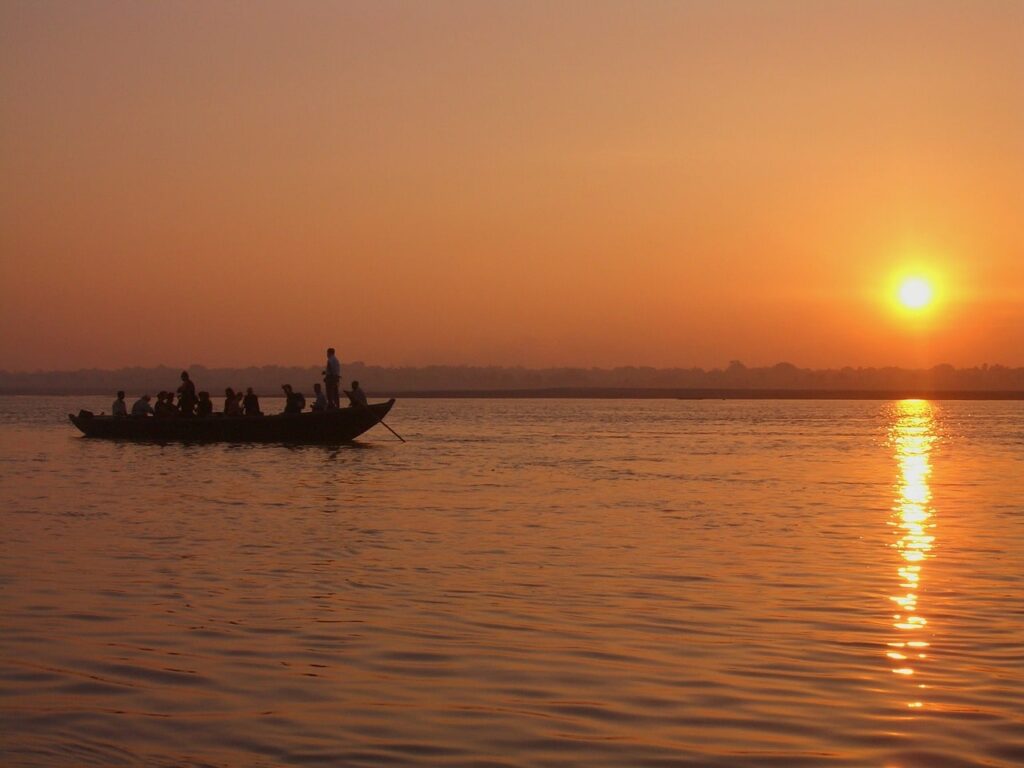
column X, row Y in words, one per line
column 343, row 425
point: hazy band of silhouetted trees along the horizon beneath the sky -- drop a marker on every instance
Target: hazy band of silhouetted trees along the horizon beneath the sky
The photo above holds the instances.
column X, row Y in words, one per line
column 380, row 380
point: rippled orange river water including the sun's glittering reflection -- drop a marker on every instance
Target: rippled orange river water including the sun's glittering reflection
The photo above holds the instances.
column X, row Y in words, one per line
column 526, row 583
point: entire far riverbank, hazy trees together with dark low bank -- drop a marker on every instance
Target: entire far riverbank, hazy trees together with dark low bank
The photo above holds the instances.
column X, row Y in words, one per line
column 782, row 381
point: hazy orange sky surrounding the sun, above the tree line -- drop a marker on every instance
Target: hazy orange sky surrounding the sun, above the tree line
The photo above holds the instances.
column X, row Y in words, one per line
column 514, row 184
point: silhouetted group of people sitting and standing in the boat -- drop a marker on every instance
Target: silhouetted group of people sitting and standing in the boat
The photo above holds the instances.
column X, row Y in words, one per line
column 193, row 404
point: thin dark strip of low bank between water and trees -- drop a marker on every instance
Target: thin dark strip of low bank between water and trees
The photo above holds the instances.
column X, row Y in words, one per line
column 651, row 394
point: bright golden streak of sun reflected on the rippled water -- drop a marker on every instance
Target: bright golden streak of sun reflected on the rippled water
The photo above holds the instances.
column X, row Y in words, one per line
column 912, row 436
